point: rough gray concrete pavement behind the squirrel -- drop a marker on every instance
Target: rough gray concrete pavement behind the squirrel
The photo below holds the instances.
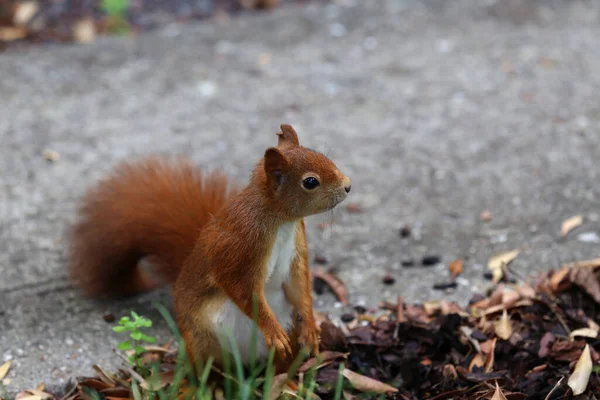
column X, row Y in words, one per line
column 438, row 110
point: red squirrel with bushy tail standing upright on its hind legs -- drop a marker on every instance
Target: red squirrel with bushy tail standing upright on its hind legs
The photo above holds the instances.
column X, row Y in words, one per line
column 220, row 246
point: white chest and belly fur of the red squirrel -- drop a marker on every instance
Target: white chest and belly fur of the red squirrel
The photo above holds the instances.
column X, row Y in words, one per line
column 230, row 320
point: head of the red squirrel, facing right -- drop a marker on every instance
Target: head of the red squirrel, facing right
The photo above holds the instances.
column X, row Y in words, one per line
column 299, row 181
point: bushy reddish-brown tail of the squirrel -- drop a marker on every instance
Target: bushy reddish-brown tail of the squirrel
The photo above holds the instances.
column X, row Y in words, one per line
column 150, row 210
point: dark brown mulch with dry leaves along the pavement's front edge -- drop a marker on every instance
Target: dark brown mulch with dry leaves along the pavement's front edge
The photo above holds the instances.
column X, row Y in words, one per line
column 524, row 340
